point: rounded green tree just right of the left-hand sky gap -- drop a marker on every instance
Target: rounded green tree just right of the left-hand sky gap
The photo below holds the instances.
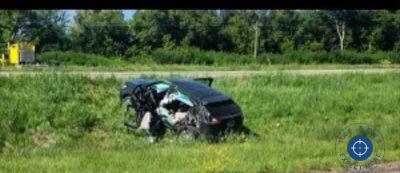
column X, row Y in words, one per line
column 100, row 31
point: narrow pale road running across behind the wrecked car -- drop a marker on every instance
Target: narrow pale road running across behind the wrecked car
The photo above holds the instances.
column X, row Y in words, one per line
column 129, row 74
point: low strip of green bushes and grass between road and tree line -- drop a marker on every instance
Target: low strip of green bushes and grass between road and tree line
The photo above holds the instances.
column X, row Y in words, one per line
column 193, row 55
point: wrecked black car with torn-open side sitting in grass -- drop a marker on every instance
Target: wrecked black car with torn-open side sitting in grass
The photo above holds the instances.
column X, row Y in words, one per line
column 190, row 107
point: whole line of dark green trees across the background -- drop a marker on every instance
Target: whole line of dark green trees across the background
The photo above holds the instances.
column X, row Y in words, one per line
column 106, row 32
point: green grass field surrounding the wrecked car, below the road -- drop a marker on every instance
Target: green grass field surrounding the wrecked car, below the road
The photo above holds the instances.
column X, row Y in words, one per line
column 66, row 123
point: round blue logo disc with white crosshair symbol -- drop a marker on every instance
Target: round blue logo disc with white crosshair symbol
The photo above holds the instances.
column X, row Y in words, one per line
column 360, row 147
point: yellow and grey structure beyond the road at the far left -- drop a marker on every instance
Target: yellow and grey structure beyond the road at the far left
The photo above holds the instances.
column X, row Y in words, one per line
column 19, row 53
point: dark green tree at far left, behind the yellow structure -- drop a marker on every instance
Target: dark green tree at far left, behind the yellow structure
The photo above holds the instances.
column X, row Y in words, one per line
column 46, row 28
